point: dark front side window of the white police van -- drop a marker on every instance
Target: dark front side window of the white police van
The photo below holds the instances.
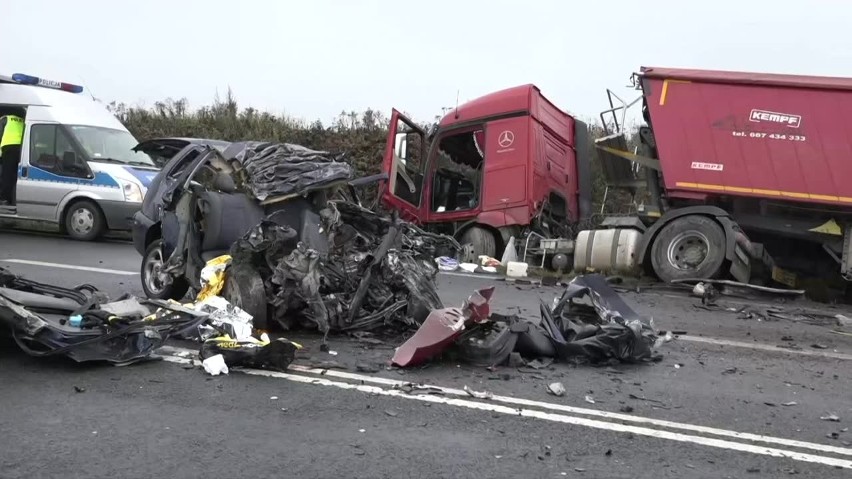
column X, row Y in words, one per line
column 51, row 150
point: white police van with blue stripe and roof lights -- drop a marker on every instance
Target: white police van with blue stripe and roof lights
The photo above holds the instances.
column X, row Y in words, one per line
column 78, row 168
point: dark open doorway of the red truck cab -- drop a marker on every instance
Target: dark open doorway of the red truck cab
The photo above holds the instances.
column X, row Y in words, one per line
column 457, row 177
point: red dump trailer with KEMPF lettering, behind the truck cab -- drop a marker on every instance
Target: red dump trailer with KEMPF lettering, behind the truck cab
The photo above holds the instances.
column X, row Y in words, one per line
column 750, row 166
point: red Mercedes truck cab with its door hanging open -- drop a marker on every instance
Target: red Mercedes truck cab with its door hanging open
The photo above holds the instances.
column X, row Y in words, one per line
column 495, row 167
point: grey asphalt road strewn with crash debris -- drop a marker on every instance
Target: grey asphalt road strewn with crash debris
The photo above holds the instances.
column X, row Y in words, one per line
column 726, row 401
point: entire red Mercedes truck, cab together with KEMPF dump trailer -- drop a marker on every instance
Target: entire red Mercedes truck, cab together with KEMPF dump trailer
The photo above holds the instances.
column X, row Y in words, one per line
column 746, row 174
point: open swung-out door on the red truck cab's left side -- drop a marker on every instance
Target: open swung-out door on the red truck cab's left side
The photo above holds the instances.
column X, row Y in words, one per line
column 404, row 162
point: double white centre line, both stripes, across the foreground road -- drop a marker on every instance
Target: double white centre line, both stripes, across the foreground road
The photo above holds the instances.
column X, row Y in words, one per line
column 496, row 405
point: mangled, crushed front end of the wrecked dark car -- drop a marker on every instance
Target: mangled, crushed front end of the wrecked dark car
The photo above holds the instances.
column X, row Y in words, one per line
column 375, row 272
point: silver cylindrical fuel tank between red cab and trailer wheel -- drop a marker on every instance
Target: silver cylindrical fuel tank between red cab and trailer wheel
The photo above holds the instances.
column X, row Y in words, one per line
column 607, row 251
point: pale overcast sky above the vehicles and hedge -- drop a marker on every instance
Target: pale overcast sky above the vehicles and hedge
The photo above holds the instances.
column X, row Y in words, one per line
column 312, row 59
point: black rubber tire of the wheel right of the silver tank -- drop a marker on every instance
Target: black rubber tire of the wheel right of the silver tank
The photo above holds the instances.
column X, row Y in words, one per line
column 712, row 265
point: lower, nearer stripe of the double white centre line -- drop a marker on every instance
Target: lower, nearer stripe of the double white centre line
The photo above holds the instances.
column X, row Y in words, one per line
column 560, row 418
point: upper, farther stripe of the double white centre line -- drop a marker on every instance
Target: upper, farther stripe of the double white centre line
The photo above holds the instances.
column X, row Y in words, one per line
column 569, row 409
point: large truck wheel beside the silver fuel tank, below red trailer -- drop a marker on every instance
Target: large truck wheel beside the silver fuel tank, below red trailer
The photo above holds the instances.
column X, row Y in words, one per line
column 689, row 247
